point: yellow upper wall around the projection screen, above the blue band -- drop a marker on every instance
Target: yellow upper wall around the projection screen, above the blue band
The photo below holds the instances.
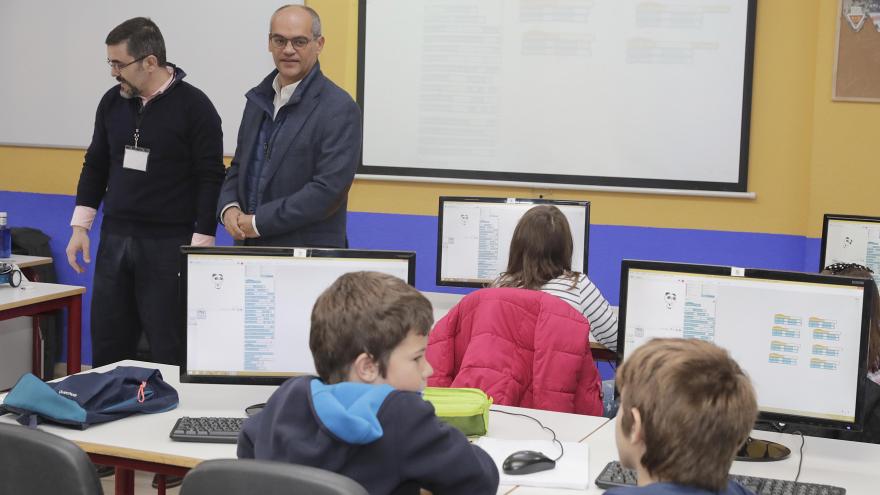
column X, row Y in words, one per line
column 808, row 155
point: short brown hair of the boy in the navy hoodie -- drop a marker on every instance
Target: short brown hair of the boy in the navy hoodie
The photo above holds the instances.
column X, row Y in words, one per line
column 367, row 312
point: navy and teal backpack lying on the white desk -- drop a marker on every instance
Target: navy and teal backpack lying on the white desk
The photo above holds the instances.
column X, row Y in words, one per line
column 90, row 398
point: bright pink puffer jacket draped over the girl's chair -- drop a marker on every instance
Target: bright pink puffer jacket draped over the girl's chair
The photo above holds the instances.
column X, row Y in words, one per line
column 522, row 347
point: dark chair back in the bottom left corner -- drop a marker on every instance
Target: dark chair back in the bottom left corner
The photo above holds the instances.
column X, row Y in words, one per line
column 25, row 454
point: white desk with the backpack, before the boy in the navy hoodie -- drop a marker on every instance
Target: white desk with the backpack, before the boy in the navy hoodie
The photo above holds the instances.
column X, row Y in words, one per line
column 141, row 442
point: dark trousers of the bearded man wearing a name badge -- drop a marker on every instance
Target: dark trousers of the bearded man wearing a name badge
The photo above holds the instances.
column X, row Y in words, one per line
column 135, row 290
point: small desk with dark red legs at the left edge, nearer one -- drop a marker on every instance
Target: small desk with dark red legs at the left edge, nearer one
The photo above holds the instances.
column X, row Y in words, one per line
column 36, row 298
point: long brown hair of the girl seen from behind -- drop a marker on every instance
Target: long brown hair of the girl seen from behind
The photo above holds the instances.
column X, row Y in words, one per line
column 540, row 250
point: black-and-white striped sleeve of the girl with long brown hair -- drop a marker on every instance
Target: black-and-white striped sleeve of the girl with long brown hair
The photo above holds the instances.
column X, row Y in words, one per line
column 585, row 297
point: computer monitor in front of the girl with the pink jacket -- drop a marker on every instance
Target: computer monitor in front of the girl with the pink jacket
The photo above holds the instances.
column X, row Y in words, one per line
column 473, row 236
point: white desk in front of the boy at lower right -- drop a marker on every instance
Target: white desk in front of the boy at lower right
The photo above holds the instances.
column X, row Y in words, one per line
column 851, row 465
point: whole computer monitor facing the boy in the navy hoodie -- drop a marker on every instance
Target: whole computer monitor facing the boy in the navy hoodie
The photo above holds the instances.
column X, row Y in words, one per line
column 247, row 310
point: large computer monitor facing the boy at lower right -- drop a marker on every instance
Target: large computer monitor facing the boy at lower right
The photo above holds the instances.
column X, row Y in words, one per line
column 802, row 338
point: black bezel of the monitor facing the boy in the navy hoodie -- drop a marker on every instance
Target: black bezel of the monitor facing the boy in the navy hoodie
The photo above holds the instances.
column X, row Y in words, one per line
column 185, row 251
